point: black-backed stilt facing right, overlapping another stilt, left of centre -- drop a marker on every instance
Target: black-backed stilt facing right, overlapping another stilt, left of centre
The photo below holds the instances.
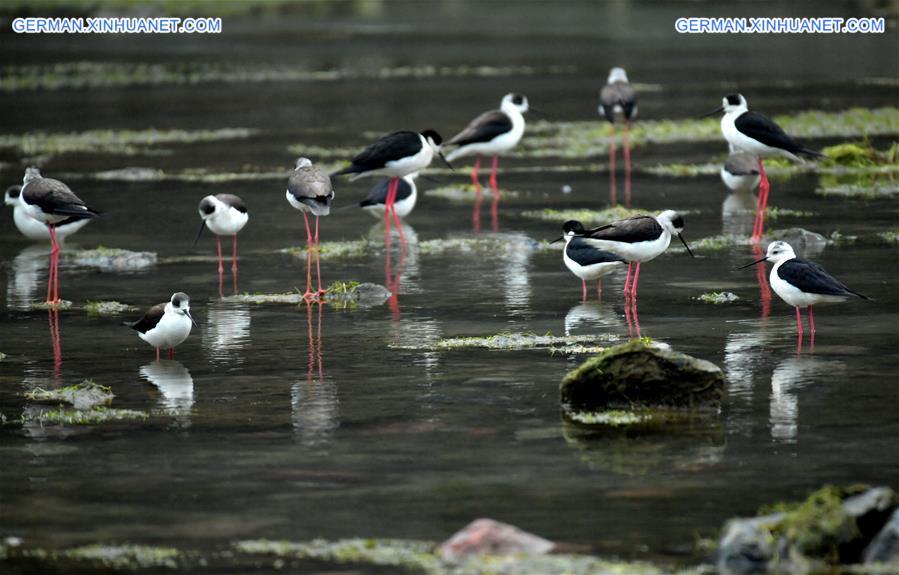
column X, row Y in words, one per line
column 395, row 155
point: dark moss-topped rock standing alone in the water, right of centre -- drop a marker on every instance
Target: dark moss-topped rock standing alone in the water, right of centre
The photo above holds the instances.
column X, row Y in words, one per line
column 642, row 375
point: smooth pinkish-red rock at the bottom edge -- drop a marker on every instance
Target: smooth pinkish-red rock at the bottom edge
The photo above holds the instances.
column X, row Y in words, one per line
column 489, row 537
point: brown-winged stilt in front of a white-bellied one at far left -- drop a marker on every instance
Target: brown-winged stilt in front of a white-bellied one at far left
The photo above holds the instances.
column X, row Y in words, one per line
column 51, row 202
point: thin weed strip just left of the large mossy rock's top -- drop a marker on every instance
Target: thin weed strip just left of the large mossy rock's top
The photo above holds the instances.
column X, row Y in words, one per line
column 511, row 341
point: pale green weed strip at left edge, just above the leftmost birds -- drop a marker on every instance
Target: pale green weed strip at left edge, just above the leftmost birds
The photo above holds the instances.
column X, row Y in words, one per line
column 126, row 142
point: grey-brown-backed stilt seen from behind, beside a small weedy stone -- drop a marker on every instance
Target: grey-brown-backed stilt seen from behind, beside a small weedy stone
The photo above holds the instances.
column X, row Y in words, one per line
column 309, row 190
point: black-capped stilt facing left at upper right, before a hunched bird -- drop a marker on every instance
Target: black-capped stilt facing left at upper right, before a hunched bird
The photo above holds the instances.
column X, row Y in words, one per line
column 755, row 133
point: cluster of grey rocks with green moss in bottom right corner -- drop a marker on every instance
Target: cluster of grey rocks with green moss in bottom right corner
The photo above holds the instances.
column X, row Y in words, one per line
column 833, row 526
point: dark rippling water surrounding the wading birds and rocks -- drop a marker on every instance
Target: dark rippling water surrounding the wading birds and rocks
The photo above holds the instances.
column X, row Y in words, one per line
column 261, row 442
